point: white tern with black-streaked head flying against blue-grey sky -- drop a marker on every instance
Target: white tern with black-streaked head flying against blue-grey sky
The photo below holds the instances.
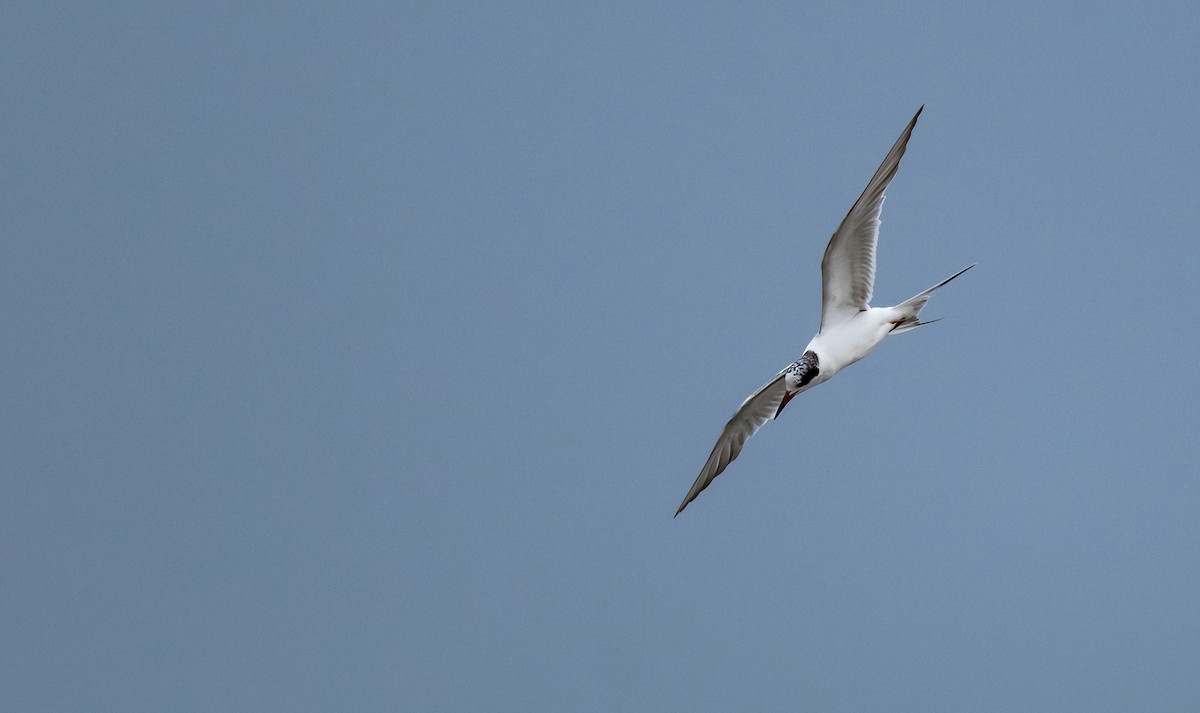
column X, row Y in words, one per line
column 850, row 327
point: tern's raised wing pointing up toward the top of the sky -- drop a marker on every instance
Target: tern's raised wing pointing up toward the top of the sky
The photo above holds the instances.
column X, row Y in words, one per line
column 848, row 269
